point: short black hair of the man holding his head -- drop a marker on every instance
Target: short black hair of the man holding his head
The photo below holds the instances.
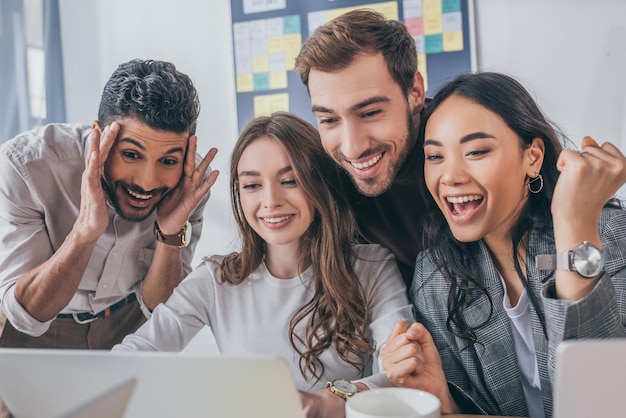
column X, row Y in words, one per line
column 154, row 92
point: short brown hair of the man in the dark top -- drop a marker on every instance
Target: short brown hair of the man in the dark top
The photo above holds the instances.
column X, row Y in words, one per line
column 335, row 45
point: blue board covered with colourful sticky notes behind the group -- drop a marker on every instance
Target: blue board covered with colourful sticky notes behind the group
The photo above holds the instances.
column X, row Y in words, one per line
column 268, row 34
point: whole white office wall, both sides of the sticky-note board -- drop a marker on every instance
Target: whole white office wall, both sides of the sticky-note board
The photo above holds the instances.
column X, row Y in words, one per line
column 569, row 53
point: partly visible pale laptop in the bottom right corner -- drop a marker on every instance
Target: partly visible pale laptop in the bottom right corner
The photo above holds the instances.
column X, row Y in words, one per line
column 590, row 379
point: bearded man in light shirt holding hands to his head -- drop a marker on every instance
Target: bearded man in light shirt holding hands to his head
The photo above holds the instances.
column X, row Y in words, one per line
column 96, row 221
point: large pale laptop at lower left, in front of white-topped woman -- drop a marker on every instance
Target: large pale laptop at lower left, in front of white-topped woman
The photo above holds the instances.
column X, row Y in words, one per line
column 37, row 383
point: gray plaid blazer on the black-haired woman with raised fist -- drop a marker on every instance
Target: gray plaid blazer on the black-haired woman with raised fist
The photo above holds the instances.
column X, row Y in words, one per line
column 487, row 374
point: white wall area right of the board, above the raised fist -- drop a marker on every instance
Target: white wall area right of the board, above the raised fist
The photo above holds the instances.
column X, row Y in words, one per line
column 570, row 53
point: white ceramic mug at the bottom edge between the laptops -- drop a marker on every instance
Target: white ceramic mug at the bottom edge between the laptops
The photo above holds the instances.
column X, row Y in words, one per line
column 393, row 403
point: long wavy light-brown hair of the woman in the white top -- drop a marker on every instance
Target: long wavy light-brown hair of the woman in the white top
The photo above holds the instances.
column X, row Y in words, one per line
column 337, row 313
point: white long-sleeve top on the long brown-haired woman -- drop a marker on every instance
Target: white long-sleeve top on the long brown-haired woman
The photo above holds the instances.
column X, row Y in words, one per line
column 253, row 317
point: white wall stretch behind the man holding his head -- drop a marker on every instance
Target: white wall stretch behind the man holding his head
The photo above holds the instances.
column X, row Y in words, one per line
column 98, row 35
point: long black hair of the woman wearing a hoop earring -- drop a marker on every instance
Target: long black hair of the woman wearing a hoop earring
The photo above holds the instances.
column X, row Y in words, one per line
column 508, row 99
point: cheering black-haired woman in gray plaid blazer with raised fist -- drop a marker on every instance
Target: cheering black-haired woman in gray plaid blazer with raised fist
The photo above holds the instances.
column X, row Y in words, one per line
column 524, row 252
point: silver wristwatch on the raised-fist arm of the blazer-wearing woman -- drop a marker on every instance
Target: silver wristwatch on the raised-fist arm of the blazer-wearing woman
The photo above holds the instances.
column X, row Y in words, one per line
column 586, row 259
